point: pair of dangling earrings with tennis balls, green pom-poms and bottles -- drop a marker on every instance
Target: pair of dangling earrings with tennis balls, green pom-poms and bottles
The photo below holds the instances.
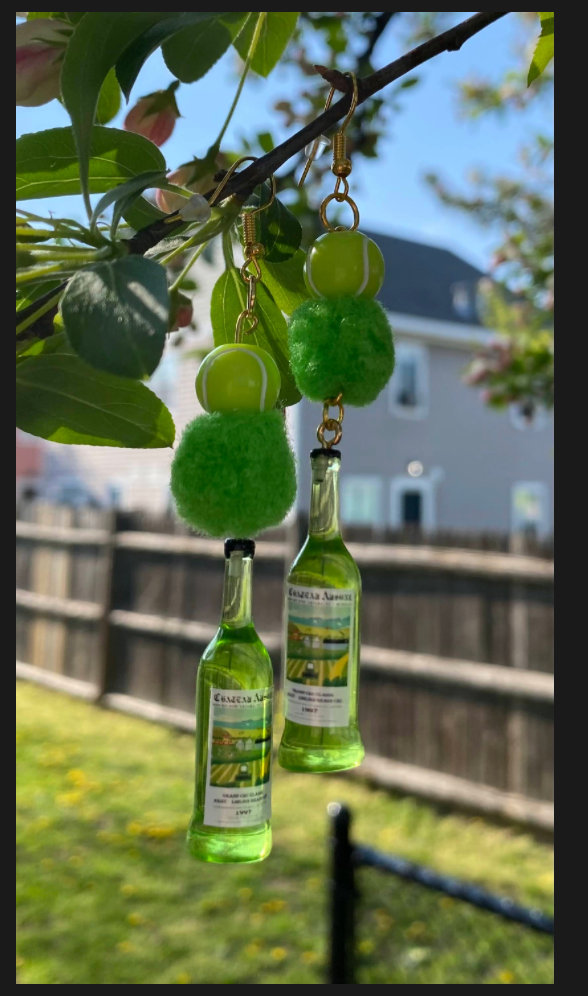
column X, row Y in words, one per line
column 234, row 474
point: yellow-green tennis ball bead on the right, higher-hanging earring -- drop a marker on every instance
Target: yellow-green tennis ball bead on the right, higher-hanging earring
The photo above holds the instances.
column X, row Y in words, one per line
column 344, row 264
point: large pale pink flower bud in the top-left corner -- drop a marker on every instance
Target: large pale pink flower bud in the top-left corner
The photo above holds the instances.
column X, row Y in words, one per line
column 40, row 46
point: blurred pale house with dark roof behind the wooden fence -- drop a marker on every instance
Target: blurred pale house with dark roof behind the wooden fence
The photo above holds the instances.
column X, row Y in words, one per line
column 428, row 451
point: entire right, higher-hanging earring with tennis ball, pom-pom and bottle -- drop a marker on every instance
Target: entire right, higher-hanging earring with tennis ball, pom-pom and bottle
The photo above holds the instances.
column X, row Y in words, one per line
column 341, row 349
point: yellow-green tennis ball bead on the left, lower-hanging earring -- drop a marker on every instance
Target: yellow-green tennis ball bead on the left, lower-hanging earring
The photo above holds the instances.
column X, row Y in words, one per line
column 238, row 377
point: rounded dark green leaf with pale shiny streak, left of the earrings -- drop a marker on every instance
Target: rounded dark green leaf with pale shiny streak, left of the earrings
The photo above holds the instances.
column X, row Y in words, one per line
column 116, row 315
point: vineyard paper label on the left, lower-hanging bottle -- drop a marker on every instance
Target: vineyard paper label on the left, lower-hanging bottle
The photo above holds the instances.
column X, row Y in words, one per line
column 238, row 781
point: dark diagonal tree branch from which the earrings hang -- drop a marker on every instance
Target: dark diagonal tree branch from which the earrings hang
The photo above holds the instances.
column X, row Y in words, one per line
column 244, row 183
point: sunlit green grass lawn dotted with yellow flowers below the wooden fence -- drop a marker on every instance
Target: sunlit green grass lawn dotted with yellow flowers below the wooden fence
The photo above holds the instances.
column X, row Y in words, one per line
column 107, row 894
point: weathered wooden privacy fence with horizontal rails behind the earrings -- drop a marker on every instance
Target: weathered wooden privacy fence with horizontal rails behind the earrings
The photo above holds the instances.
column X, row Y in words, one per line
column 457, row 681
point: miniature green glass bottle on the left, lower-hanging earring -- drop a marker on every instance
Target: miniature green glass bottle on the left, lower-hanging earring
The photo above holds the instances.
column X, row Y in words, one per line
column 234, row 705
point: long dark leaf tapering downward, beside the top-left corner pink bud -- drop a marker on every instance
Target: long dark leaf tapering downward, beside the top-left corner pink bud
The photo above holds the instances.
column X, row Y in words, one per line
column 95, row 47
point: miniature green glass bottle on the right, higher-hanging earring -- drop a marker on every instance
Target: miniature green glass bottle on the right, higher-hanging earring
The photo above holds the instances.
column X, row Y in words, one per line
column 323, row 601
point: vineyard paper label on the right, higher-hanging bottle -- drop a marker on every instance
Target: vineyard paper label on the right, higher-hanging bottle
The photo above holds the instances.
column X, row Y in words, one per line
column 321, row 624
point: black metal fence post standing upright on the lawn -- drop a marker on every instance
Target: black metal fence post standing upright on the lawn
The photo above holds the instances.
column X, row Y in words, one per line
column 343, row 896
